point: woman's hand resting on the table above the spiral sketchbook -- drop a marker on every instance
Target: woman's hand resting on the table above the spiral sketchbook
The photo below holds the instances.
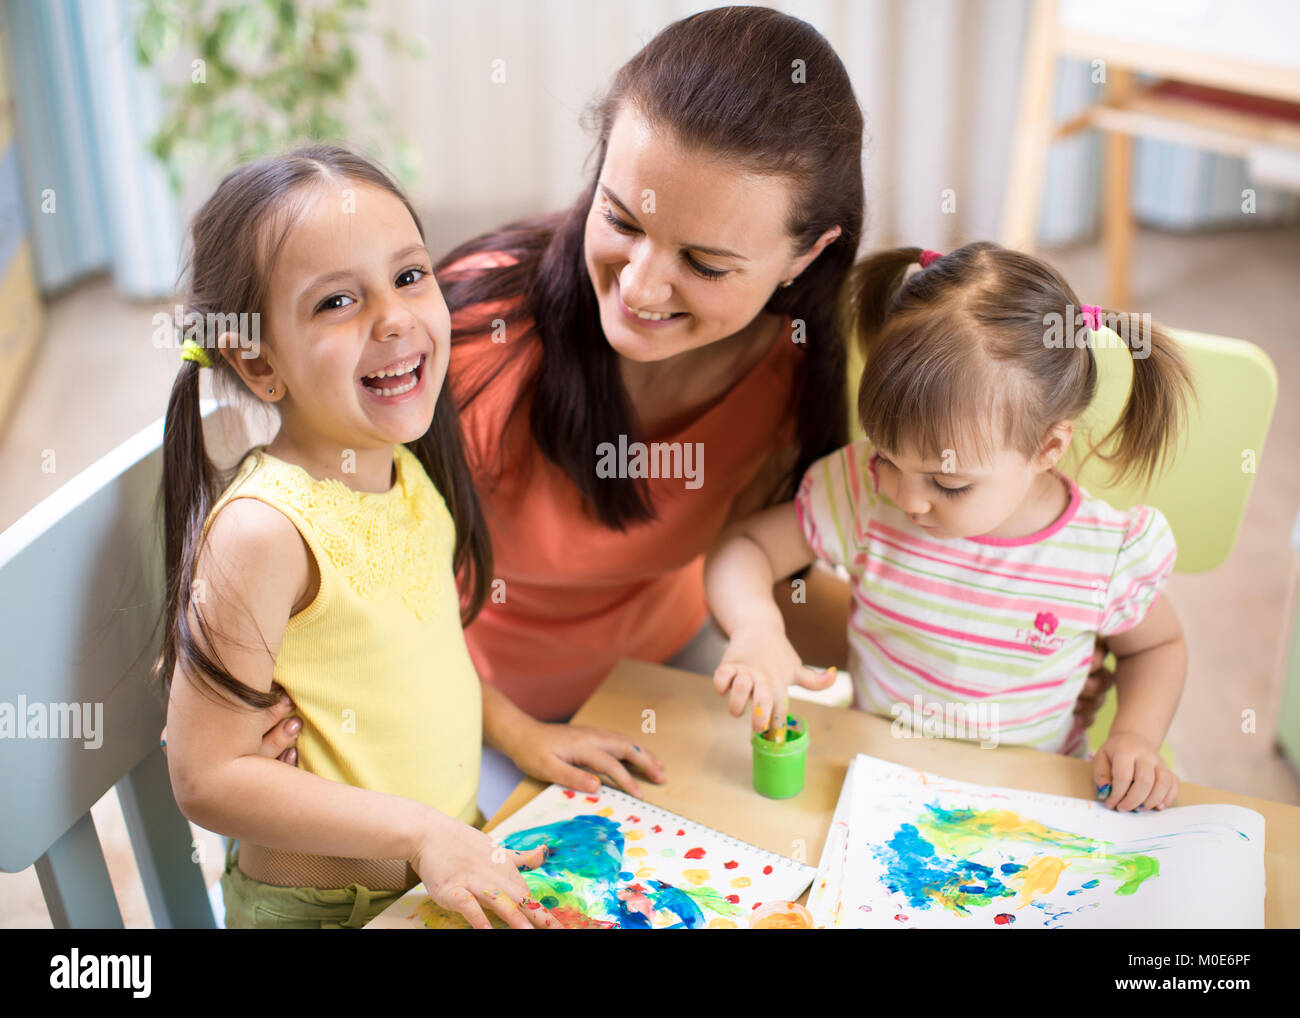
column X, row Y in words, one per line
column 561, row 752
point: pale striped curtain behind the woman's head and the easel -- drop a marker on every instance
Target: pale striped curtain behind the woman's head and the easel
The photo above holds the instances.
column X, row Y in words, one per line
column 938, row 83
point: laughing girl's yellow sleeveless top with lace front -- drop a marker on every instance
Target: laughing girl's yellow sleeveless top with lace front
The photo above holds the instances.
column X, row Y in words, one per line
column 378, row 664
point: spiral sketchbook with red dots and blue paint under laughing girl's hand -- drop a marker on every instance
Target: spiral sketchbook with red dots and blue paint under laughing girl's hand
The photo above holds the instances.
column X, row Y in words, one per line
column 618, row 863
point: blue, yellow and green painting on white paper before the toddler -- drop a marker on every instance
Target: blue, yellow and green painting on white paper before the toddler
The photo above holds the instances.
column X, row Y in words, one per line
column 911, row 850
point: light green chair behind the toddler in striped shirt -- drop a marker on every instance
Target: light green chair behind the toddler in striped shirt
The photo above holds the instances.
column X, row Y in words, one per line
column 1208, row 482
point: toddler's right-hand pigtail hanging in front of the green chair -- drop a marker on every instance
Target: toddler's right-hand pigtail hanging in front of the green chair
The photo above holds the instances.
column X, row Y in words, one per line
column 1156, row 411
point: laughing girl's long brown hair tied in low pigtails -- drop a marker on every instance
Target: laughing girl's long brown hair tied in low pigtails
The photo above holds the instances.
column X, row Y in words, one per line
column 235, row 240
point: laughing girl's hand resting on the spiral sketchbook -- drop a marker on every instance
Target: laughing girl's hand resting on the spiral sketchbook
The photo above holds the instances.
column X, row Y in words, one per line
column 466, row 873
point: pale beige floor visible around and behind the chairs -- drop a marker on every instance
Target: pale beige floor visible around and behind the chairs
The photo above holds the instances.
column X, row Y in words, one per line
column 99, row 379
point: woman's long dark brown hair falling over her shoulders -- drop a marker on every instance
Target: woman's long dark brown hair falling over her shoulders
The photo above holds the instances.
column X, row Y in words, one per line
column 761, row 89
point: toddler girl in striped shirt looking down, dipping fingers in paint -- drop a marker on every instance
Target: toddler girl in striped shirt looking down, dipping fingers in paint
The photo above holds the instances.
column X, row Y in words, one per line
column 982, row 577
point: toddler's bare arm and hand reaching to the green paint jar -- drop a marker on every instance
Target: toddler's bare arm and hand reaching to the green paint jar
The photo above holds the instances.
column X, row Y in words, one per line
column 760, row 664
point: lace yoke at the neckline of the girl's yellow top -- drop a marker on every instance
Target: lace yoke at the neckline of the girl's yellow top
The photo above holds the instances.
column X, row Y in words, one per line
column 379, row 542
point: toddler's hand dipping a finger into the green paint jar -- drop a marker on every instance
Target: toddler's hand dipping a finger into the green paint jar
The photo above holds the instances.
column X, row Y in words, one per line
column 761, row 665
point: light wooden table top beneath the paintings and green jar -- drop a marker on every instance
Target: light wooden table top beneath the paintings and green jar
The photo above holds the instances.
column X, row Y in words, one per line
column 708, row 760
